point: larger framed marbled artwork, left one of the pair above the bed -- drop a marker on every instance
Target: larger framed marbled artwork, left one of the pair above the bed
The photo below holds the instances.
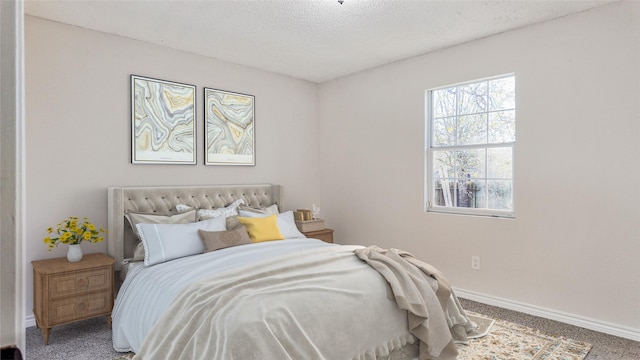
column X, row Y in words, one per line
column 163, row 122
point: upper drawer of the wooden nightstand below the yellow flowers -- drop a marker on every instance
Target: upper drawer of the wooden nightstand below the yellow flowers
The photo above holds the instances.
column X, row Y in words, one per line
column 72, row 283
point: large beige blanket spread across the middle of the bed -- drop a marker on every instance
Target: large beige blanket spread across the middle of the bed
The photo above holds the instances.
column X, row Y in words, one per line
column 323, row 303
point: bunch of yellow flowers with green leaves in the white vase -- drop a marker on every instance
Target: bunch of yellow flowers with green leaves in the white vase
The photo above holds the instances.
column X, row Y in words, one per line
column 71, row 232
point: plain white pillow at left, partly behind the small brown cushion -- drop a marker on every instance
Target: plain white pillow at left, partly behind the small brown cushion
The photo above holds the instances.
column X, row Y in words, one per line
column 164, row 242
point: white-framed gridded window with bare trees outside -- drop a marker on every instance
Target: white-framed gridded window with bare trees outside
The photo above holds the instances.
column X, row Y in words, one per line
column 470, row 146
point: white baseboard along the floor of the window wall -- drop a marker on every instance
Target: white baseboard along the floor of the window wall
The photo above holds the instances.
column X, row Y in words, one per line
column 567, row 318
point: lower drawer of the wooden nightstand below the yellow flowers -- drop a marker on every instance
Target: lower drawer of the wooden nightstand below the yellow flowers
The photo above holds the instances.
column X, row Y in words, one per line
column 70, row 309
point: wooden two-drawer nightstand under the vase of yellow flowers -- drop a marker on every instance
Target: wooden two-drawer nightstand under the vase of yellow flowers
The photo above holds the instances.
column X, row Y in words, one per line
column 64, row 292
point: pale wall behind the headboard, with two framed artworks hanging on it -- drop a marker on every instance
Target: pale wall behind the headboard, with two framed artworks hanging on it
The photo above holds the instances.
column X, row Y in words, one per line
column 78, row 127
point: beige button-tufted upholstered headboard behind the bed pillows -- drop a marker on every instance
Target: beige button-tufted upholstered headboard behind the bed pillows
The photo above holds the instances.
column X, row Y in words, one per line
column 162, row 200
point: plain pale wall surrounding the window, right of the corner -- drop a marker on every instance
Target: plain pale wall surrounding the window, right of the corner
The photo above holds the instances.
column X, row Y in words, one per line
column 574, row 245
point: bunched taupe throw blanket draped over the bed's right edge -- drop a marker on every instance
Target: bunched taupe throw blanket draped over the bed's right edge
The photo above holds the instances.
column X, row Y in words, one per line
column 434, row 313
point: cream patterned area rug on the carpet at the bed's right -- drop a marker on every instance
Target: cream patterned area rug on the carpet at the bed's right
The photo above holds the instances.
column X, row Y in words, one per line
column 502, row 340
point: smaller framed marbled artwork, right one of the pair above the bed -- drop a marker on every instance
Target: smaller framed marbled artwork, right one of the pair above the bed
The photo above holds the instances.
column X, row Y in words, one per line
column 229, row 128
